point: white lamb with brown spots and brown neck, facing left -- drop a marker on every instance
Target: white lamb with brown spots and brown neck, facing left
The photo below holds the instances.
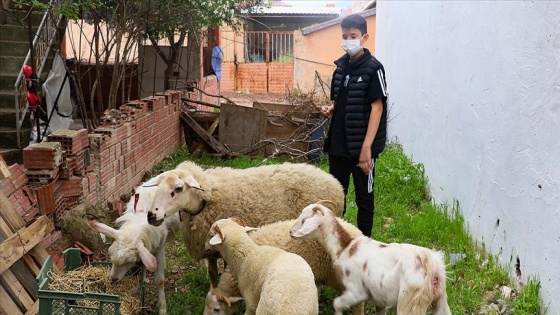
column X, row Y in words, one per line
column 407, row 277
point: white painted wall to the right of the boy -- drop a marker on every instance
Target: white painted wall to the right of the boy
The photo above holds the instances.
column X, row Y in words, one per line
column 475, row 96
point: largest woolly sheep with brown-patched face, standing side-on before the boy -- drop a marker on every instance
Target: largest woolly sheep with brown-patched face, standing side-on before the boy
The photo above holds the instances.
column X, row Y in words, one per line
column 258, row 195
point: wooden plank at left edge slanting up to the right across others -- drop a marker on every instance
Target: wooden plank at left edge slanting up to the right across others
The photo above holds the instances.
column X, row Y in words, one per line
column 23, row 241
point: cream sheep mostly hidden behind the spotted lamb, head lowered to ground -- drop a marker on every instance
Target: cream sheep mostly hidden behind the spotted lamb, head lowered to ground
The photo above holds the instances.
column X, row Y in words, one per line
column 220, row 299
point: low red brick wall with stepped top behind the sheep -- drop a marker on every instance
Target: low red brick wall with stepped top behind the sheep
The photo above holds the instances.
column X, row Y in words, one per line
column 123, row 150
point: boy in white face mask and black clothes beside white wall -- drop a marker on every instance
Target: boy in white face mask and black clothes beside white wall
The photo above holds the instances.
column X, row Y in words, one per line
column 357, row 131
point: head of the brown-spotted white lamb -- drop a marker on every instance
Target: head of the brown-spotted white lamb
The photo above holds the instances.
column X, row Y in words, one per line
column 309, row 221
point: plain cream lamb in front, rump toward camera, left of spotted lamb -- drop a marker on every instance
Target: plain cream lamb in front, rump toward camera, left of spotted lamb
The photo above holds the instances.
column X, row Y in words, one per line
column 271, row 280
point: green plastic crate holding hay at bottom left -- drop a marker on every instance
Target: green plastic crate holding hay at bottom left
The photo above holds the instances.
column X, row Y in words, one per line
column 64, row 303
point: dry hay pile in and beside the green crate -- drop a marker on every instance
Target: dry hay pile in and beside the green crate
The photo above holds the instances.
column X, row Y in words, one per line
column 98, row 280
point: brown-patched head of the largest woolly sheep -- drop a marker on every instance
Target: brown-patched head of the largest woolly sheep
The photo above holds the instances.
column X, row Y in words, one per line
column 176, row 190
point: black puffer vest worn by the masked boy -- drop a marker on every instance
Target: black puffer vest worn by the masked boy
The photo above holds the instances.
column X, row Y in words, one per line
column 357, row 106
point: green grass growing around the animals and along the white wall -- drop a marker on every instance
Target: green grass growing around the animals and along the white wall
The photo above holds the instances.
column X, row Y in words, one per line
column 404, row 213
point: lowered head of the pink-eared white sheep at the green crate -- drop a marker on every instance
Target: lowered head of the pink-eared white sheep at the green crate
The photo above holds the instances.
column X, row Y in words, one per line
column 125, row 251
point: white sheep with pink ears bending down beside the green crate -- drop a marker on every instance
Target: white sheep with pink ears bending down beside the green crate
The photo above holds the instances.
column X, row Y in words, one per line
column 136, row 240
